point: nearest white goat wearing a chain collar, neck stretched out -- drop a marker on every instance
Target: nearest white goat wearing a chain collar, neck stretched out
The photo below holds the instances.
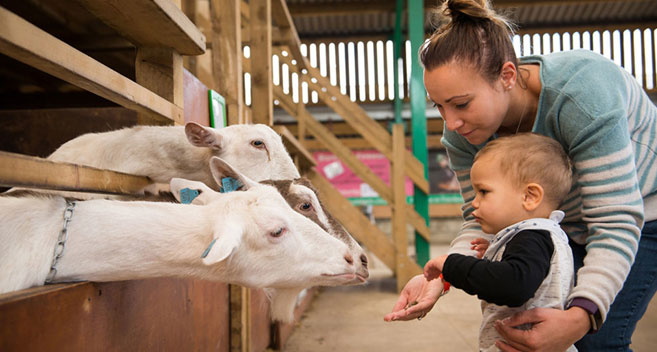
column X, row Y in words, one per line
column 258, row 240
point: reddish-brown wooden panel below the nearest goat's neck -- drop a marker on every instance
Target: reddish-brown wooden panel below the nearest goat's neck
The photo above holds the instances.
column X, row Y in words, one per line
column 145, row 315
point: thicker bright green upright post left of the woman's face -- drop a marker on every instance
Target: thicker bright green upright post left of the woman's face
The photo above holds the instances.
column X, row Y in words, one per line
column 418, row 118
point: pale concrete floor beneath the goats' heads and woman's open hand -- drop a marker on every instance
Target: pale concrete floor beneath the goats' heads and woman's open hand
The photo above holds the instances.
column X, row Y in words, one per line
column 351, row 319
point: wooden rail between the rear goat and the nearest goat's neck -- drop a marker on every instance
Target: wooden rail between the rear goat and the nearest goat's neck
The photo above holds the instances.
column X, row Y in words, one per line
column 25, row 171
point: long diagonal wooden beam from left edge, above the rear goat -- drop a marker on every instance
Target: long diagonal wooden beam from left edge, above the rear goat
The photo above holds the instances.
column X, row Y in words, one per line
column 28, row 44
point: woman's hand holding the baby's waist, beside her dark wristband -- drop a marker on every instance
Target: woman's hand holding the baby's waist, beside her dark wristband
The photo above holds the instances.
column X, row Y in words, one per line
column 553, row 329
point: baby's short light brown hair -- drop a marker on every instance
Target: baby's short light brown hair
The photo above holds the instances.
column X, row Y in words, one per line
column 531, row 157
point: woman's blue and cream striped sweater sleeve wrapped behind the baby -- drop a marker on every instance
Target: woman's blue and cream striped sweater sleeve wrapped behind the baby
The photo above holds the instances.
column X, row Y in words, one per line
column 589, row 115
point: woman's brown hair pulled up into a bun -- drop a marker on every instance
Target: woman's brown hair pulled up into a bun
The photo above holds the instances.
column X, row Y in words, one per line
column 473, row 33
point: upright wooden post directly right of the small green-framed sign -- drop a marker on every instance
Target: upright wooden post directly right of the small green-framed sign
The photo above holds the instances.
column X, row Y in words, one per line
column 227, row 56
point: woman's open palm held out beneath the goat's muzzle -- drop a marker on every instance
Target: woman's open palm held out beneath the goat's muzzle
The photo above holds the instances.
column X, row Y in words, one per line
column 416, row 299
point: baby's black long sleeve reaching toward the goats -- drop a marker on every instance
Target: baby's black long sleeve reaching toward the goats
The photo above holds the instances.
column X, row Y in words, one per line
column 511, row 281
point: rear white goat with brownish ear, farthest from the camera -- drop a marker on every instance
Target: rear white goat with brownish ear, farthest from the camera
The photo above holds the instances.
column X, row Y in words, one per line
column 165, row 152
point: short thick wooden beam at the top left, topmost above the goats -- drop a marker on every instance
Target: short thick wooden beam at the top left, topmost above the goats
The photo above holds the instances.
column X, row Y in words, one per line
column 158, row 23
